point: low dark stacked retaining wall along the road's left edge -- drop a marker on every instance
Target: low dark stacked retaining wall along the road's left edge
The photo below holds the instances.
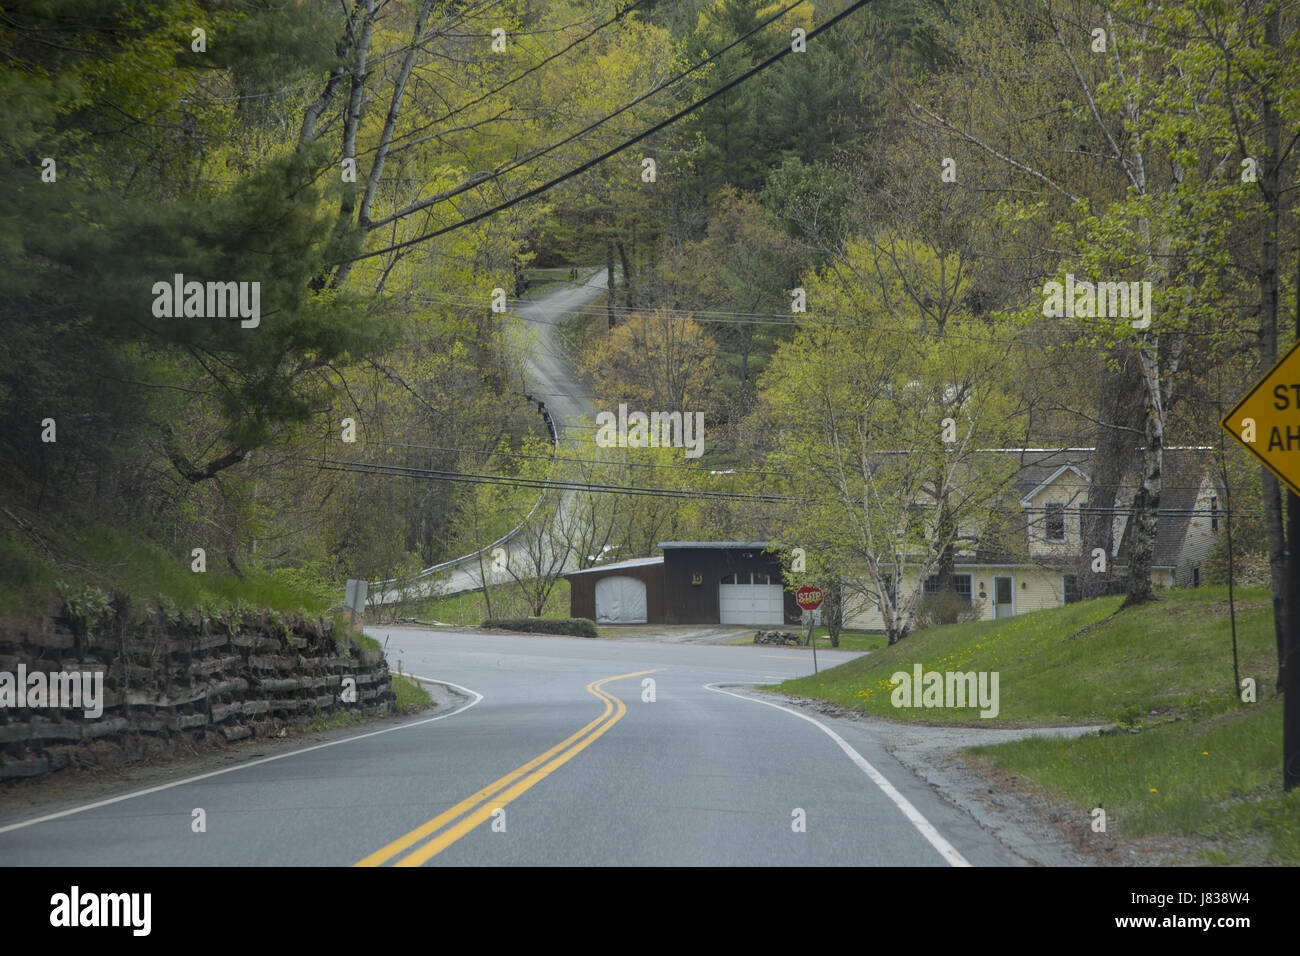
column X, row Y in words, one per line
column 181, row 685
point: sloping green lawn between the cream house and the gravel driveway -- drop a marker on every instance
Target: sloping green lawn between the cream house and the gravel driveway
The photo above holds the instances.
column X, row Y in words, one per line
column 1076, row 664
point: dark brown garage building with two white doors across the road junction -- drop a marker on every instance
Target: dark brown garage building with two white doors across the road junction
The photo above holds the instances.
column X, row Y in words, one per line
column 692, row 583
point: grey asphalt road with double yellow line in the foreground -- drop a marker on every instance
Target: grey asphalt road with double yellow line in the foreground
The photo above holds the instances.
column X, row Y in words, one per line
column 570, row 765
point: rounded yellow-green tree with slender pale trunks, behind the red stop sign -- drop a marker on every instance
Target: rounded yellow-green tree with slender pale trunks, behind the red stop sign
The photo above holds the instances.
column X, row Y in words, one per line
column 883, row 427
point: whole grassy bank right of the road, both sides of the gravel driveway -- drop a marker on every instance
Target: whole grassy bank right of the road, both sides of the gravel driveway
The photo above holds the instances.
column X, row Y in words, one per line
column 1193, row 767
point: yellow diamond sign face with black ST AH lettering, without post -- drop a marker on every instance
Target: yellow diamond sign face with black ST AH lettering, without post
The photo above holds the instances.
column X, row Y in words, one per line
column 1268, row 421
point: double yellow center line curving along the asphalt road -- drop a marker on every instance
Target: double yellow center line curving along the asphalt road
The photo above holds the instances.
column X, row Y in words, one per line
column 463, row 817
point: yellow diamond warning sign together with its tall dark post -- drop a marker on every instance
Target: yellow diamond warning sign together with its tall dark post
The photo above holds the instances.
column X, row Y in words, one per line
column 1267, row 423
